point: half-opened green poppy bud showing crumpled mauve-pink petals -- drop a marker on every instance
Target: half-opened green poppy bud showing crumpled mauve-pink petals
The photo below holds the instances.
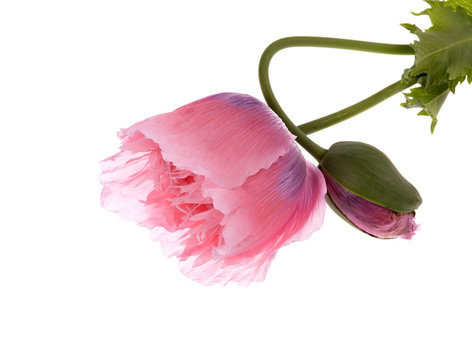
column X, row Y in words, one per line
column 366, row 189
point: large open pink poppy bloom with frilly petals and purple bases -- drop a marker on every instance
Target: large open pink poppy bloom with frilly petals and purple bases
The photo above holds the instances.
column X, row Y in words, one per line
column 220, row 183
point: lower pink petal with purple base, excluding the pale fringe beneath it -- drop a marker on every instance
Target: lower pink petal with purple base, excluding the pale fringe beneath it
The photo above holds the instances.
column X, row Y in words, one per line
column 273, row 204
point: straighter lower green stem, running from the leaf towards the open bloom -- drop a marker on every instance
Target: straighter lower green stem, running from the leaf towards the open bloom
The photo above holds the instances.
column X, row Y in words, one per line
column 344, row 114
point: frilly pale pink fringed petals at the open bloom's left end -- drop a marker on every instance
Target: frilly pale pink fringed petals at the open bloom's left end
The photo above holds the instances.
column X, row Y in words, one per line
column 141, row 186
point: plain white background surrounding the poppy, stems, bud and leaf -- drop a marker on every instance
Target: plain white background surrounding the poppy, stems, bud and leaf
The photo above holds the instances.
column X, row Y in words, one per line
column 78, row 283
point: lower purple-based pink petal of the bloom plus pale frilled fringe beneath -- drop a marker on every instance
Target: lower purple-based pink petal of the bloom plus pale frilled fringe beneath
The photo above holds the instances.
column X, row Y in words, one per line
column 271, row 209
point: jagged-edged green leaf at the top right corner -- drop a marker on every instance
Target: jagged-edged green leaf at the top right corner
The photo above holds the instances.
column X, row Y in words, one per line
column 443, row 55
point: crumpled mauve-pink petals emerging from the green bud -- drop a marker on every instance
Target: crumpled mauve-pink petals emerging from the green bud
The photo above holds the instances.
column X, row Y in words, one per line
column 374, row 219
